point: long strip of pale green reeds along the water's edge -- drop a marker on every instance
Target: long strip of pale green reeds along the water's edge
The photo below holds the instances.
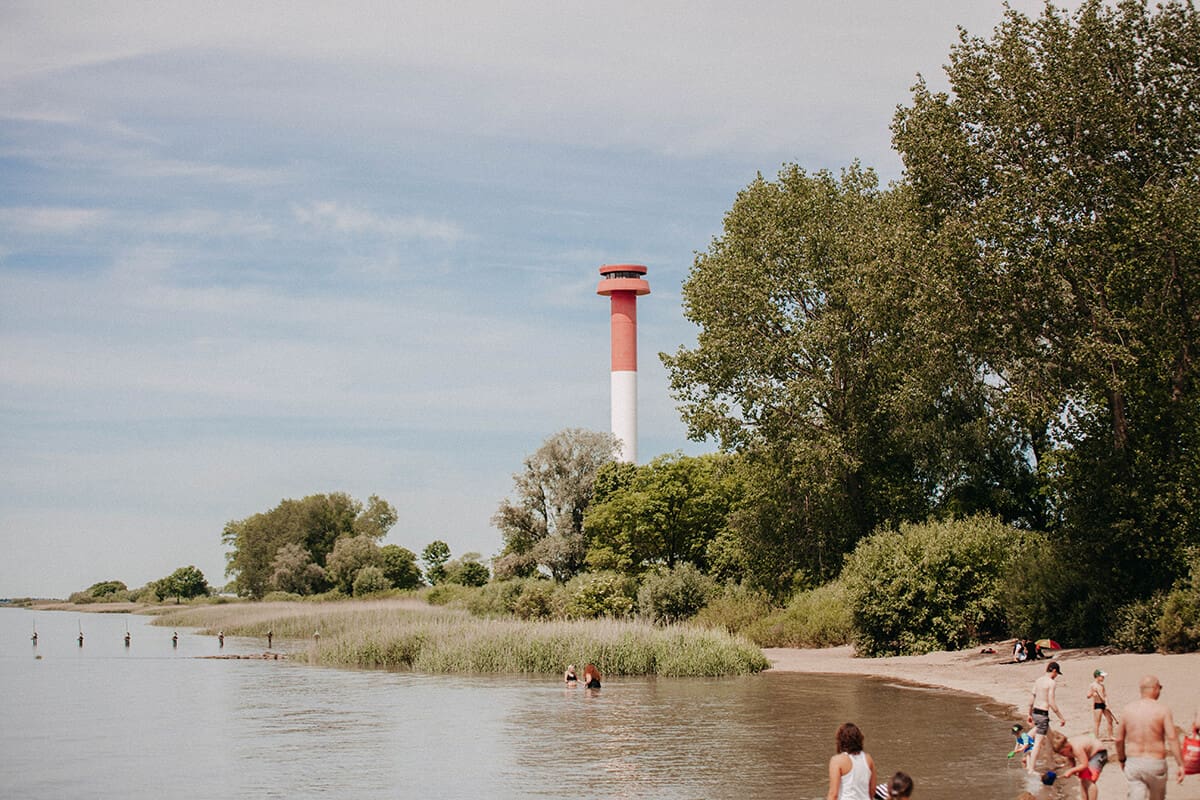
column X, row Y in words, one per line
column 404, row 634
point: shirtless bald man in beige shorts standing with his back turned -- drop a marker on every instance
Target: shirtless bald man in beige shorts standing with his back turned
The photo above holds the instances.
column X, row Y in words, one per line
column 1145, row 733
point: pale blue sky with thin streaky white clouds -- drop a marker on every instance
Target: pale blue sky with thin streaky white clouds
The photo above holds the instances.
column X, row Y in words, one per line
column 261, row 251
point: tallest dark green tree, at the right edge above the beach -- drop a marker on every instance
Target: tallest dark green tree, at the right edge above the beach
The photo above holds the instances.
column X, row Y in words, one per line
column 1059, row 183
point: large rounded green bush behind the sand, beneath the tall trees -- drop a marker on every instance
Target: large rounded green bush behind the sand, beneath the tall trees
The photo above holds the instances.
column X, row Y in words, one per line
column 932, row 587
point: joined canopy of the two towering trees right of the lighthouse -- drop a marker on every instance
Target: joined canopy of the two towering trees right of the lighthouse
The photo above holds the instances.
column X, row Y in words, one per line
column 1011, row 329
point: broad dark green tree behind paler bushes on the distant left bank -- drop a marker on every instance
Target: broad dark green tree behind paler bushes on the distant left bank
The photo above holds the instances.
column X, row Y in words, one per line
column 315, row 524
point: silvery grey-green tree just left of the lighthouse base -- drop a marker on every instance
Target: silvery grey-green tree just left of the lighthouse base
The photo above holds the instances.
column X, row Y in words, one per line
column 543, row 524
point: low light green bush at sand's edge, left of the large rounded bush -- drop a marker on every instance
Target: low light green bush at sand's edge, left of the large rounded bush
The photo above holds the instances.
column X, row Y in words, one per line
column 817, row 618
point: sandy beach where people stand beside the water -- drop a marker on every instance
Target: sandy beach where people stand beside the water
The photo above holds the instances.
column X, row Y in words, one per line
column 1007, row 684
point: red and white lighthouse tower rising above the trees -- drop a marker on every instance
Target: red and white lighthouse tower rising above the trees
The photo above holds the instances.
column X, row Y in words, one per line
column 623, row 284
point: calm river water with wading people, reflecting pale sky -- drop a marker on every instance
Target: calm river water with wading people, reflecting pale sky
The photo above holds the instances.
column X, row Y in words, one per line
column 152, row 721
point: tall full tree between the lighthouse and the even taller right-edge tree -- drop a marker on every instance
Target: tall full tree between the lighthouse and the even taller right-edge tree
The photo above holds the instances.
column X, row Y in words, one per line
column 820, row 357
